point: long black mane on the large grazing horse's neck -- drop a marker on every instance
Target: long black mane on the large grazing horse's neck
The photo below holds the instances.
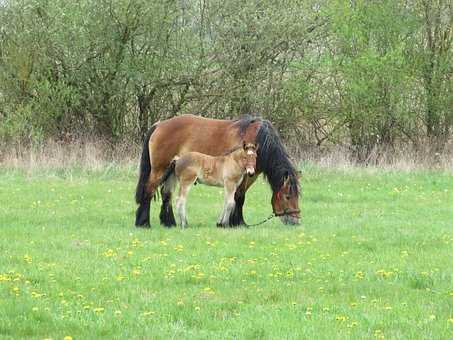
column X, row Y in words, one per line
column 273, row 160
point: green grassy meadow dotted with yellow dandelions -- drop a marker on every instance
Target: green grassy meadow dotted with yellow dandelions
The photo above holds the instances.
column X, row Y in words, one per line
column 373, row 258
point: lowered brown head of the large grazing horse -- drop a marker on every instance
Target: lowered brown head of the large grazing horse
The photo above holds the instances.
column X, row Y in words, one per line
column 285, row 202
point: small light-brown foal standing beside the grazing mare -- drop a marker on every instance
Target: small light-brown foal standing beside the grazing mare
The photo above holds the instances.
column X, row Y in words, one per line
column 225, row 171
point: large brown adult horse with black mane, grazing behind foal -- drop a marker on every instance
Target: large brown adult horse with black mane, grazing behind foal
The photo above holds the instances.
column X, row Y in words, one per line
column 186, row 133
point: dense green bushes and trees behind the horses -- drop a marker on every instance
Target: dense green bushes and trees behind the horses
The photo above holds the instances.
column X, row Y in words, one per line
column 369, row 74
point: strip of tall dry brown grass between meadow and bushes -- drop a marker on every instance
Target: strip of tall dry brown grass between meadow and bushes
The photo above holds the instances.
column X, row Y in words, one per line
column 97, row 155
